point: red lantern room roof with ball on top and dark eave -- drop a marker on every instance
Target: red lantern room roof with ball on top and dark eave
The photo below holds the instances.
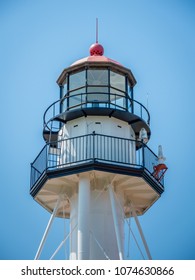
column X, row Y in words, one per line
column 96, row 58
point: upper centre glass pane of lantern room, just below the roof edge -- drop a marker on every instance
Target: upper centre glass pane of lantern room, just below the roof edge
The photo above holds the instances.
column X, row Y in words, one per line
column 97, row 77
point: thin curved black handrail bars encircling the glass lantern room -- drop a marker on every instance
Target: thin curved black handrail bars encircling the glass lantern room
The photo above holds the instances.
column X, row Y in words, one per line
column 66, row 97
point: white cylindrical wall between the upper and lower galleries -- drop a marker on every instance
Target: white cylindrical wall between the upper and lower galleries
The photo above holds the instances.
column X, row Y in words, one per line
column 99, row 125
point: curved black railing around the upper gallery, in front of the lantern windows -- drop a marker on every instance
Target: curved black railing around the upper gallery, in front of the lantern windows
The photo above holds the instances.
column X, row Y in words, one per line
column 87, row 100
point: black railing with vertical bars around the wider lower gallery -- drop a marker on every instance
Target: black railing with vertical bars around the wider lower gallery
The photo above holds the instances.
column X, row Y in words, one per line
column 92, row 147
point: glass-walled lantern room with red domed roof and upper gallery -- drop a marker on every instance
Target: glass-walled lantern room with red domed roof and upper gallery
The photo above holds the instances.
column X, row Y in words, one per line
column 97, row 86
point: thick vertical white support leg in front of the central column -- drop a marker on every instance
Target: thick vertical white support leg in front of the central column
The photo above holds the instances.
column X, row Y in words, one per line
column 83, row 217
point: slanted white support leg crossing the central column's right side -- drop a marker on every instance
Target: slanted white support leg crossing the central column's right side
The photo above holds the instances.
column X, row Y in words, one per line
column 116, row 225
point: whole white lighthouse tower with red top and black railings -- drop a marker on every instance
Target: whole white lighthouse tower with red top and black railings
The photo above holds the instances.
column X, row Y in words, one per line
column 96, row 168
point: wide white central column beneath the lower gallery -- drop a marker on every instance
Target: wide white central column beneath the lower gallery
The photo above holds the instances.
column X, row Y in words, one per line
column 91, row 210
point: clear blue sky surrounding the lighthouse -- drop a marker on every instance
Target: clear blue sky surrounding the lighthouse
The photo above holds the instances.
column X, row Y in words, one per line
column 156, row 40
